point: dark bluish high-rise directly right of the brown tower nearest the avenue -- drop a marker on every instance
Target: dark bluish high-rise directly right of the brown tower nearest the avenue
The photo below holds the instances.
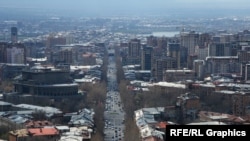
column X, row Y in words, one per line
column 146, row 57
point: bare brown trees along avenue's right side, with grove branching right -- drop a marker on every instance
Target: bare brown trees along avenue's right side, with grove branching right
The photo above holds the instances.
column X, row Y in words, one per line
column 134, row 100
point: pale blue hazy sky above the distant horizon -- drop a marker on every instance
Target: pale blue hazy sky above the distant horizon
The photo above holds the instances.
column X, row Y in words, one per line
column 129, row 7
